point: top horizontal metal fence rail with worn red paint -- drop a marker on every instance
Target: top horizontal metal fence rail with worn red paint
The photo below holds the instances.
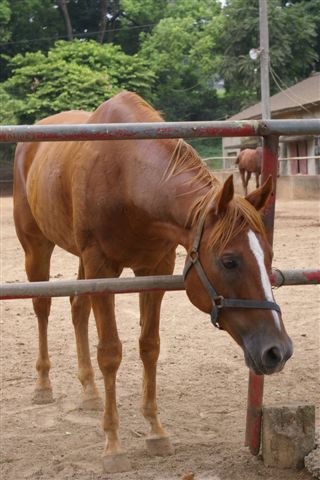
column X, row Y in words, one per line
column 127, row 131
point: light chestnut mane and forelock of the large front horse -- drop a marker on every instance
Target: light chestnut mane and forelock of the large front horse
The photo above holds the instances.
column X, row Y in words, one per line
column 239, row 215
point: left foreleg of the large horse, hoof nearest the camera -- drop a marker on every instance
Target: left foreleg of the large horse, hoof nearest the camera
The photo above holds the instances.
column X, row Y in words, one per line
column 109, row 356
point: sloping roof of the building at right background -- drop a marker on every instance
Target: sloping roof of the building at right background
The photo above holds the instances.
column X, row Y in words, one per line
column 298, row 97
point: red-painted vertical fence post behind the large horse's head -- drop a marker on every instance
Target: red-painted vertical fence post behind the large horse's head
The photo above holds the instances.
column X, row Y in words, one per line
column 256, row 382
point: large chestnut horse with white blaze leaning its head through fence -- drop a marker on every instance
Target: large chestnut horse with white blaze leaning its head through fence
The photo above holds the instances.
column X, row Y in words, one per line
column 119, row 204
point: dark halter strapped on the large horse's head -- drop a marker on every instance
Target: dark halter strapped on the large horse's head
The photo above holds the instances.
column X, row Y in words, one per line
column 218, row 301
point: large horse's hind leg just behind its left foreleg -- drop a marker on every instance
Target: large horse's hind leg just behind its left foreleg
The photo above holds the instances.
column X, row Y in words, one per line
column 80, row 309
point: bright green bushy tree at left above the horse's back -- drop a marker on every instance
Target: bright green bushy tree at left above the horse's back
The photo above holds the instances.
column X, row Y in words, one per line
column 73, row 75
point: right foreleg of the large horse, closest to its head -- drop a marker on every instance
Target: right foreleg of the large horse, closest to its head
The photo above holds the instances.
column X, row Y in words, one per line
column 150, row 303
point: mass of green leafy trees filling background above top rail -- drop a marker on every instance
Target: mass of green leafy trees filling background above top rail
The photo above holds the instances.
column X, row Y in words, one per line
column 172, row 52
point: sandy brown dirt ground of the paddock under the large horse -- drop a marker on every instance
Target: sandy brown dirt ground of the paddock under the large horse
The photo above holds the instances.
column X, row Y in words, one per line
column 202, row 378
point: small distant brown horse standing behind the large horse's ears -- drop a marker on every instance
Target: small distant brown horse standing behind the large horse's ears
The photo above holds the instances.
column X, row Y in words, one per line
column 249, row 161
